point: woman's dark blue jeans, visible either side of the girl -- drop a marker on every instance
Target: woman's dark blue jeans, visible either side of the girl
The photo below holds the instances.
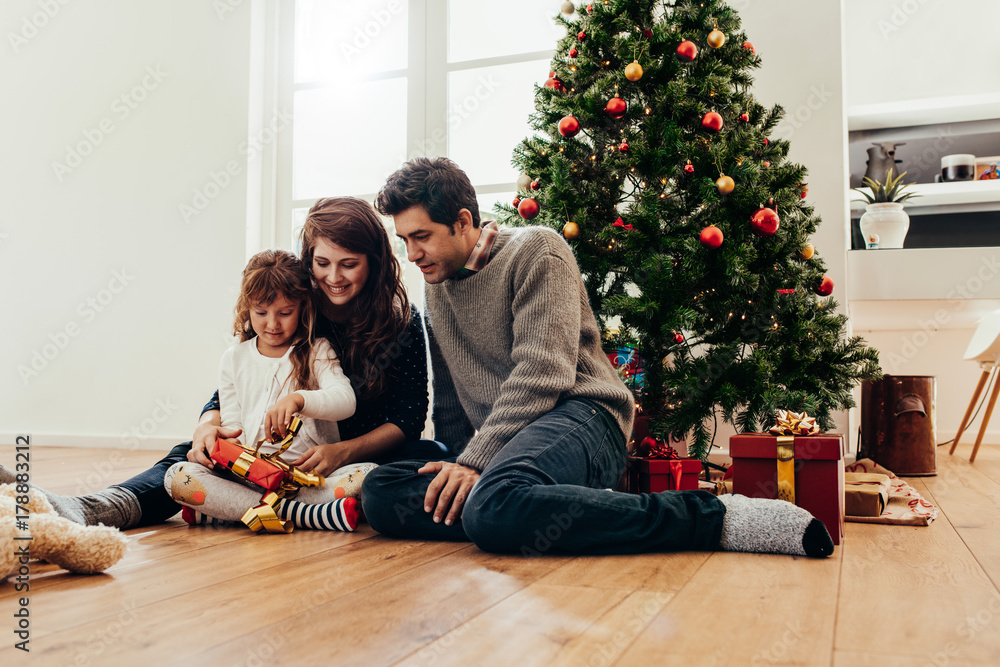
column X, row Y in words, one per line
column 157, row 506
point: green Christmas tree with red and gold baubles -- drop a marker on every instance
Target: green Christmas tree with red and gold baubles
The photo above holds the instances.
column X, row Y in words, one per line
column 689, row 224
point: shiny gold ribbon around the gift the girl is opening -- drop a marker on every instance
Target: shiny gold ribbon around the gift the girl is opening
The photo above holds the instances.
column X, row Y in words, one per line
column 263, row 516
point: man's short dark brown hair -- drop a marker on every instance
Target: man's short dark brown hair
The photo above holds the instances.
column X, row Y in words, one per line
column 437, row 184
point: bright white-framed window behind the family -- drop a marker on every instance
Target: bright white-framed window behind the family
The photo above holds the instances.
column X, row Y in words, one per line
column 375, row 82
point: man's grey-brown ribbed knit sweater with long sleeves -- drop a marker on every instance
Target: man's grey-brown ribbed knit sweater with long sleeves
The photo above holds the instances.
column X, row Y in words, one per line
column 511, row 342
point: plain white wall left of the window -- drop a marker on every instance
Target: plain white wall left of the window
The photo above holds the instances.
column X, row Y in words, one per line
column 116, row 308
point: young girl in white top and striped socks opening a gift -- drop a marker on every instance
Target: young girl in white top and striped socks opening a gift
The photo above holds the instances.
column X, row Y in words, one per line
column 278, row 371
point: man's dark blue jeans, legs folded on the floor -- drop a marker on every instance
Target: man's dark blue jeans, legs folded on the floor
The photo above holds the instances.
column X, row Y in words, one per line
column 546, row 492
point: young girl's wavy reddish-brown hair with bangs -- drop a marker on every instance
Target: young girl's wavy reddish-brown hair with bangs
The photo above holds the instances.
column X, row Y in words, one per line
column 268, row 275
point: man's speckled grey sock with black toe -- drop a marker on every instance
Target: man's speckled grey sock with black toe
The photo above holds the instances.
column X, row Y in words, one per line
column 760, row 525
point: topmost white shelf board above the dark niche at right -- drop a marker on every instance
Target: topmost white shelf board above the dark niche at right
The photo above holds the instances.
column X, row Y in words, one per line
column 927, row 111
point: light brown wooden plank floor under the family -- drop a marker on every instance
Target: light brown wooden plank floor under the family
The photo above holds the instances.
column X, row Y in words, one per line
column 889, row 596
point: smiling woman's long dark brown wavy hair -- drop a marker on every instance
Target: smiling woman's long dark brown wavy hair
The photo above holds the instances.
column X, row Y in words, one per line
column 381, row 309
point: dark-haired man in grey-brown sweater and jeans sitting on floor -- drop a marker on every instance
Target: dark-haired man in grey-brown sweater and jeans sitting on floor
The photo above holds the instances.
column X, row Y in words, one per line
column 524, row 393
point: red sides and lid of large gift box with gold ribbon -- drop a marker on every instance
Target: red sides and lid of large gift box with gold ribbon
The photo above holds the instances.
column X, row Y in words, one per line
column 819, row 473
